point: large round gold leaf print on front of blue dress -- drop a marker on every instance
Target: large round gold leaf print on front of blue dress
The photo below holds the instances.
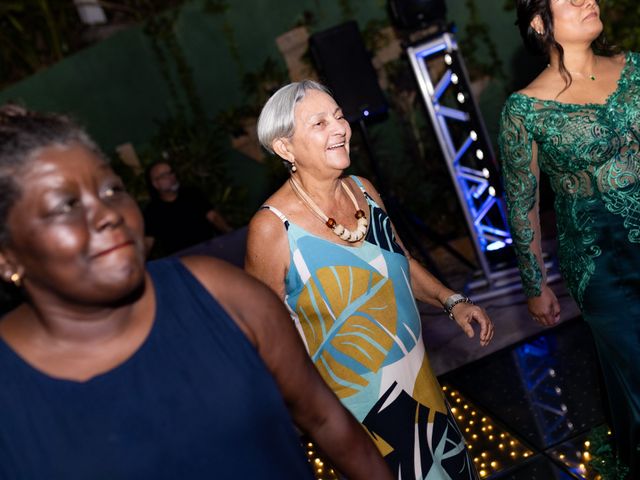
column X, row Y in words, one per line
column 349, row 324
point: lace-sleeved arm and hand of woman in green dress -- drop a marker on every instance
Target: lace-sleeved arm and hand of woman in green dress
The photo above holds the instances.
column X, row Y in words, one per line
column 521, row 175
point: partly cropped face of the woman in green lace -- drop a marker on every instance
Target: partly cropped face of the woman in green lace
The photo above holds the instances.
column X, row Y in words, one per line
column 575, row 21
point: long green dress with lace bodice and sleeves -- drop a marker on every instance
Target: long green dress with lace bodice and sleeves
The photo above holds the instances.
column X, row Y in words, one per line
column 591, row 154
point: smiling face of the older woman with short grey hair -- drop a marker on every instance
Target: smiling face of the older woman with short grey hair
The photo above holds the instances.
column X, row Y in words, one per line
column 320, row 140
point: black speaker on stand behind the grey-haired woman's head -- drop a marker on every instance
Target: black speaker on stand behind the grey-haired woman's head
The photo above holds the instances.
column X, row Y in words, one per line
column 345, row 66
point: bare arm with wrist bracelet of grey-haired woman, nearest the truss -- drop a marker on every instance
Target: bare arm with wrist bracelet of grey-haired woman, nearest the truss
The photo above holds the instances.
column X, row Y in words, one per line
column 429, row 289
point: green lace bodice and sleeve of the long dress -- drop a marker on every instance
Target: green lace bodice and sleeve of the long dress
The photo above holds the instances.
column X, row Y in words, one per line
column 591, row 155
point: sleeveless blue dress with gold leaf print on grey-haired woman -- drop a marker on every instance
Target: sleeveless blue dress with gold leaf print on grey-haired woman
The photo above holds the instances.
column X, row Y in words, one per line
column 355, row 311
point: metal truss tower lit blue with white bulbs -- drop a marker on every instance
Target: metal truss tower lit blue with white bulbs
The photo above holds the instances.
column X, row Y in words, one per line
column 445, row 88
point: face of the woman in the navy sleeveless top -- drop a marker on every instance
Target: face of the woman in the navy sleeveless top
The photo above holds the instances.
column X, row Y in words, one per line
column 75, row 234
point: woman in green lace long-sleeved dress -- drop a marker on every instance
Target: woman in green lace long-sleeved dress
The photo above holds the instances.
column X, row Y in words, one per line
column 579, row 122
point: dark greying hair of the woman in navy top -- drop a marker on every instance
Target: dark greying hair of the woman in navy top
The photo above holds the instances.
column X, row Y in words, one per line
column 22, row 135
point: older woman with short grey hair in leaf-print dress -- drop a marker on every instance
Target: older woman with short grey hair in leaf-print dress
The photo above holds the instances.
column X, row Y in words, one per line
column 324, row 243
